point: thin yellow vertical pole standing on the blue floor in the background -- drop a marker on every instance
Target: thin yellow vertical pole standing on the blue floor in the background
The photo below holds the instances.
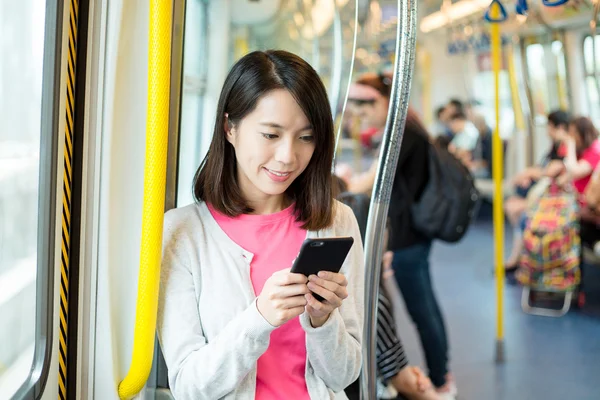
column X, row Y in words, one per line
column 498, row 162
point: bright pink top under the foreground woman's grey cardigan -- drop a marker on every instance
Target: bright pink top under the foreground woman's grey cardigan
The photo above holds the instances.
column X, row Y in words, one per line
column 275, row 241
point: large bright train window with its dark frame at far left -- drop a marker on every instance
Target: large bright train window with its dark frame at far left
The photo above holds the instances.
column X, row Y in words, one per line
column 28, row 80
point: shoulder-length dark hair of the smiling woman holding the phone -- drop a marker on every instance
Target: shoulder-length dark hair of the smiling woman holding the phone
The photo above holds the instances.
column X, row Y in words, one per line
column 253, row 76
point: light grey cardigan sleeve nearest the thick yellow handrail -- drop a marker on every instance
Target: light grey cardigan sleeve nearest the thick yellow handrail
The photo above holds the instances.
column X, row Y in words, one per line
column 199, row 369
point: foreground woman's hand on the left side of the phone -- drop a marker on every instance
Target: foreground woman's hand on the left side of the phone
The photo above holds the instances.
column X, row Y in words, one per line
column 283, row 297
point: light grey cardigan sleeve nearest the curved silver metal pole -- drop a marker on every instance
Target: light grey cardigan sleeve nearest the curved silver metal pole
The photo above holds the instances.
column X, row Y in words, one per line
column 334, row 349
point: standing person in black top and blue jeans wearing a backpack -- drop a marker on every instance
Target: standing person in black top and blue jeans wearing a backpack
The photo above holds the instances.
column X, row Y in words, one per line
column 410, row 249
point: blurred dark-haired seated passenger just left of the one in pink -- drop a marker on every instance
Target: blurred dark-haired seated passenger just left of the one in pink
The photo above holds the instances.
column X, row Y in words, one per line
column 515, row 206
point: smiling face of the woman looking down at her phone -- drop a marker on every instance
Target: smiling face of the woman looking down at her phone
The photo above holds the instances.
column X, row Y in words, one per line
column 273, row 146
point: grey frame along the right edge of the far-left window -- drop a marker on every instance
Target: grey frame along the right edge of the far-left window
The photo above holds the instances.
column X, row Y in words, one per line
column 34, row 385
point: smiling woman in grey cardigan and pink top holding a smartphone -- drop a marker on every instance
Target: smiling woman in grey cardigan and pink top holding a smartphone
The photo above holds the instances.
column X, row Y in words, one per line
column 233, row 322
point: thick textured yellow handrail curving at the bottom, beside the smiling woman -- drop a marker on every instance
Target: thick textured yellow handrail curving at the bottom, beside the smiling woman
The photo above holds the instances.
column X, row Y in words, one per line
column 155, row 173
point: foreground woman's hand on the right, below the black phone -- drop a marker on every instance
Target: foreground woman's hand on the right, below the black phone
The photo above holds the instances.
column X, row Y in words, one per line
column 332, row 287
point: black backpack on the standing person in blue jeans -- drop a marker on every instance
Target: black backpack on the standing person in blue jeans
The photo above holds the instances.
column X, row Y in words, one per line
column 448, row 202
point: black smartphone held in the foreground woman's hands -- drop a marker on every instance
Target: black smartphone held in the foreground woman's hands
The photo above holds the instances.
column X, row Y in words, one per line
column 322, row 254
